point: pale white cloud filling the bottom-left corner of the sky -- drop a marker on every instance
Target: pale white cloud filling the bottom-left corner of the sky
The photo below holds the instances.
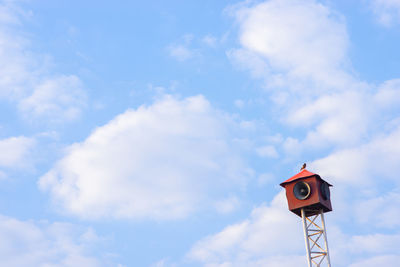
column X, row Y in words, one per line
column 28, row 243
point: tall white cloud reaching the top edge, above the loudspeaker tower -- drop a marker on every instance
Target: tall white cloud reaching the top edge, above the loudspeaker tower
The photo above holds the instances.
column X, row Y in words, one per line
column 300, row 48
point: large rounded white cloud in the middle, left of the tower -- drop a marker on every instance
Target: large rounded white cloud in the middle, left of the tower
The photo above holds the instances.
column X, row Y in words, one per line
column 161, row 161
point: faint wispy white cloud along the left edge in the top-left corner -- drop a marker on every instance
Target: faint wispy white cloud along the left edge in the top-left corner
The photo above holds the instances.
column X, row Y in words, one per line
column 26, row 79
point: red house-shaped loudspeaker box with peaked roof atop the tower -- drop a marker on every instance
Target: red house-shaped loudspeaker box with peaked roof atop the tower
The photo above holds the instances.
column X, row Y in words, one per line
column 309, row 191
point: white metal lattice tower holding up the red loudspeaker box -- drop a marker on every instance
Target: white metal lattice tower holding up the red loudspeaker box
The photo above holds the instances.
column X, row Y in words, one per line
column 316, row 239
